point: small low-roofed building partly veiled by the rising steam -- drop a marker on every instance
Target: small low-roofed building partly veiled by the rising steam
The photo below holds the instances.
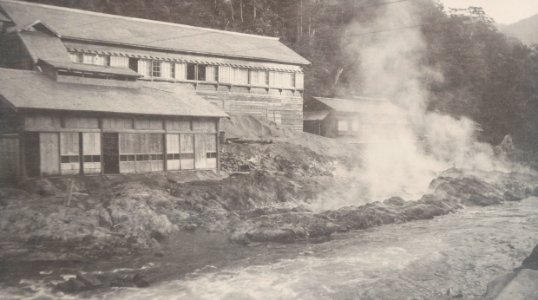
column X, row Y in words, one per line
column 352, row 118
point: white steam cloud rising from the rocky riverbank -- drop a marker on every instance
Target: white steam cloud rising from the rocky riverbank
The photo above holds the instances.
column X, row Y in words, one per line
column 407, row 146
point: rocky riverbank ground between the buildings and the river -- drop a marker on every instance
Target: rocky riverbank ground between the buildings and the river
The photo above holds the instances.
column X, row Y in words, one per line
column 262, row 195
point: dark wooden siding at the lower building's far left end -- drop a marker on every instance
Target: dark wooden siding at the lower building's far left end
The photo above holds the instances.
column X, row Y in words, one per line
column 9, row 157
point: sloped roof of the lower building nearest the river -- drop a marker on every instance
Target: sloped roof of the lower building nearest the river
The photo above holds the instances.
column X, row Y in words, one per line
column 34, row 90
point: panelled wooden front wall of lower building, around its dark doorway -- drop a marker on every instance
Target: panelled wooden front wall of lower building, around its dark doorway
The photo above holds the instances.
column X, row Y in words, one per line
column 71, row 145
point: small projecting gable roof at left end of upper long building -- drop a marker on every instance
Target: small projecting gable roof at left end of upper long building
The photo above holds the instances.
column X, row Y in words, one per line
column 44, row 46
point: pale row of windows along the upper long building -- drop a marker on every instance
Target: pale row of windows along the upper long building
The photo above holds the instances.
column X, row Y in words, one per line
column 196, row 72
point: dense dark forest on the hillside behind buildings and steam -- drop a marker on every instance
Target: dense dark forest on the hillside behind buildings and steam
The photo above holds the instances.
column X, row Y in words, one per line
column 489, row 77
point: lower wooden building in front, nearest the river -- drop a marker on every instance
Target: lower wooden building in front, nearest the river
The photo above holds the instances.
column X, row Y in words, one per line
column 68, row 119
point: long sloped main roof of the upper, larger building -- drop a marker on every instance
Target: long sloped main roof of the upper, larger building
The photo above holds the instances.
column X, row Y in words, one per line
column 119, row 30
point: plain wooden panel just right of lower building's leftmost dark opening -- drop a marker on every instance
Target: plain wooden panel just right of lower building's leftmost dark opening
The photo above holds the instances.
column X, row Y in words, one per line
column 49, row 153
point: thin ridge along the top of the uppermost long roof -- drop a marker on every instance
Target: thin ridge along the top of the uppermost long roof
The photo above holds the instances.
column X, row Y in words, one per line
column 138, row 19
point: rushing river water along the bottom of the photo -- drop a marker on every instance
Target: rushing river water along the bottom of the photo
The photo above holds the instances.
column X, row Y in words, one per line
column 456, row 254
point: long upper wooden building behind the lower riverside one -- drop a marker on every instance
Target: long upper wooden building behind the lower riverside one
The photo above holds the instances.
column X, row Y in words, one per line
column 240, row 73
